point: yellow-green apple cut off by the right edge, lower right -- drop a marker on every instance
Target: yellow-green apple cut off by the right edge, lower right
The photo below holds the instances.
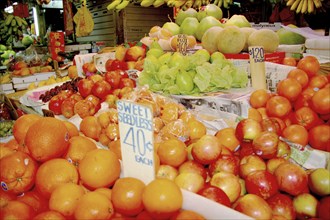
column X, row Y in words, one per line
column 319, row 181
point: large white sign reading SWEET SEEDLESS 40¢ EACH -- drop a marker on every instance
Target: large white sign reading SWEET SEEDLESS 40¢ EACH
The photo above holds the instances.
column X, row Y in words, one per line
column 136, row 139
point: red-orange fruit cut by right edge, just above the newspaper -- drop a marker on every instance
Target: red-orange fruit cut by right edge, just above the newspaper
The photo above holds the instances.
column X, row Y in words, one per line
column 319, row 137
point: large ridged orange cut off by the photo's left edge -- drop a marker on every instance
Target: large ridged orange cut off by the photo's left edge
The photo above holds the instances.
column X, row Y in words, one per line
column 18, row 171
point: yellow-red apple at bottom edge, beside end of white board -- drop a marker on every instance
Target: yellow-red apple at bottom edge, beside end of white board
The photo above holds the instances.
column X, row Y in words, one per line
column 253, row 206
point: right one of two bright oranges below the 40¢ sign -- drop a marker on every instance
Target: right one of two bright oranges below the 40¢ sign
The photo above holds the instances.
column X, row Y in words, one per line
column 162, row 198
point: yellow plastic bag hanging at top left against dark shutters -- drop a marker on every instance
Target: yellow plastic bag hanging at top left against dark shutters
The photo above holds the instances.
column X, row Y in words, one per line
column 84, row 21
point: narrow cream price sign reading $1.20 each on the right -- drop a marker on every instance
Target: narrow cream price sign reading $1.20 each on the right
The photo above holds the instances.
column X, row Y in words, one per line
column 257, row 67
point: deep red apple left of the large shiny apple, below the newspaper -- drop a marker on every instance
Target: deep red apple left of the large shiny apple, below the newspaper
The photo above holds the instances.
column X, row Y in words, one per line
column 261, row 183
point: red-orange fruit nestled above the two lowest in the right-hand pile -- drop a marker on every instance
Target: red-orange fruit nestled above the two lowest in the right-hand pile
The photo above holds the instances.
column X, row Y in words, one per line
column 306, row 117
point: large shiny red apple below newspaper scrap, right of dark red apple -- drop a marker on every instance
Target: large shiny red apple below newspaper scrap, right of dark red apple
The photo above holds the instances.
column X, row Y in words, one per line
column 291, row 178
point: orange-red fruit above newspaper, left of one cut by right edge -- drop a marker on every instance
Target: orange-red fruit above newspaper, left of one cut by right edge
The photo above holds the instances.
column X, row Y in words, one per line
column 296, row 133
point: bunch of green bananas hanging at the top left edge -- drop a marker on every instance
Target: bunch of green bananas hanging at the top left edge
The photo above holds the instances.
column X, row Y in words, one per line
column 12, row 27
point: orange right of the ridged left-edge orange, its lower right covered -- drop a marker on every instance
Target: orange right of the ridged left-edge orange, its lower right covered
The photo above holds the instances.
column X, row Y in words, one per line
column 53, row 173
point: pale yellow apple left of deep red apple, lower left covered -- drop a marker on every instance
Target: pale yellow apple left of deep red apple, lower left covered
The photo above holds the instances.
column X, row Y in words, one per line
column 229, row 183
